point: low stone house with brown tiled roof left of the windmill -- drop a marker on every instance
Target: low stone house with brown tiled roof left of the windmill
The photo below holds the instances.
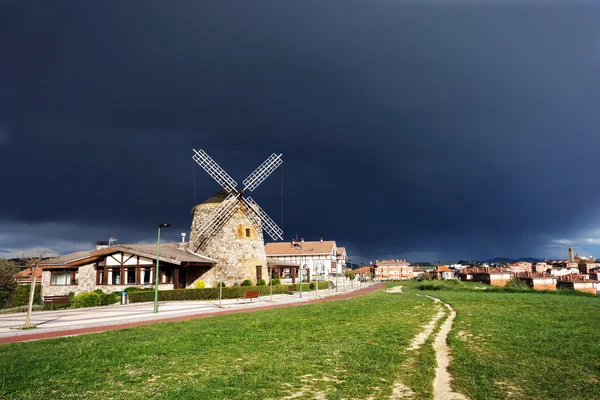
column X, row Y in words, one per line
column 114, row 268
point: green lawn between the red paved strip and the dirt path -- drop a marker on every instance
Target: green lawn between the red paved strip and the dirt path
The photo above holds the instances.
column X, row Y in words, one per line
column 353, row 349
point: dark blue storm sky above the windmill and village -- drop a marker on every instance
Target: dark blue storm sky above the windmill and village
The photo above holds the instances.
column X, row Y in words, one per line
column 426, row 130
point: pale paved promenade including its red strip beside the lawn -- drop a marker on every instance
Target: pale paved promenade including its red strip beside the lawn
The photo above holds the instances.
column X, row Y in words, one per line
column 78, row 321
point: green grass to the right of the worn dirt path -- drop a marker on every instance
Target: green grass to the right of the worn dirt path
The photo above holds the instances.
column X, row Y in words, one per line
column 523, row 345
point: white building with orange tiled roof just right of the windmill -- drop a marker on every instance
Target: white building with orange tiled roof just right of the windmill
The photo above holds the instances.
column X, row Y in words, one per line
column 317, row 258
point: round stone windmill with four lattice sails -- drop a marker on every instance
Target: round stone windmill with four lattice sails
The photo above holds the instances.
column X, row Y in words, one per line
column 229, row 226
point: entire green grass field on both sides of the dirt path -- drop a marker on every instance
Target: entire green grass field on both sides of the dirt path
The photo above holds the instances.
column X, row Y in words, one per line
column 522, row 345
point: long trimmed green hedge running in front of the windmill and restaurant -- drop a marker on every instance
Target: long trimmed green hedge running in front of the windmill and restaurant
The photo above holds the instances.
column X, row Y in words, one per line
column 234, row 292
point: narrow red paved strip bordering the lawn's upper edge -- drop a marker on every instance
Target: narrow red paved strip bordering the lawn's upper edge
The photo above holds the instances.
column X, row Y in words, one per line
column 103, row 328
